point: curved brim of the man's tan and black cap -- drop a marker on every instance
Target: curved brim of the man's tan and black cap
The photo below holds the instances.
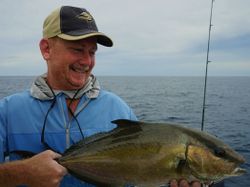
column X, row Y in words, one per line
column 101, row 38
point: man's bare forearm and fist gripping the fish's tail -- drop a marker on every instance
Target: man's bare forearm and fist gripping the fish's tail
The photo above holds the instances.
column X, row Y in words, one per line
column 41, row 170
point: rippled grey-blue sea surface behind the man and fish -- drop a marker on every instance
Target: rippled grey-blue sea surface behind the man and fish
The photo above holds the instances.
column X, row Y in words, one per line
column 179, row 99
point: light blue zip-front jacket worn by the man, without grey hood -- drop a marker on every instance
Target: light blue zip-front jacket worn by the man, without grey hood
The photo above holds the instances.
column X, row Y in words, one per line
column 22, row 118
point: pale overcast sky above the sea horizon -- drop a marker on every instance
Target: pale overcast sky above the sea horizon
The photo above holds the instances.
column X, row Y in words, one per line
column 151, row 37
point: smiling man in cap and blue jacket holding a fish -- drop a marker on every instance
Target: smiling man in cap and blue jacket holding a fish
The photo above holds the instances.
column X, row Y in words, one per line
column 62, row 107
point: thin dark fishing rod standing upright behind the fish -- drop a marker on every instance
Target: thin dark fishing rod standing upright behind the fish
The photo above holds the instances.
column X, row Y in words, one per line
column 207, row 61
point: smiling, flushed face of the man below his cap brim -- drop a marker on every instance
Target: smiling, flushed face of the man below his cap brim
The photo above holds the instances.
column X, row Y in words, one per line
column 70, row 62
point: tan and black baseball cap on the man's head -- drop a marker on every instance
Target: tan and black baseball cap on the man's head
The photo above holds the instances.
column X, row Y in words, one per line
column 73, row 23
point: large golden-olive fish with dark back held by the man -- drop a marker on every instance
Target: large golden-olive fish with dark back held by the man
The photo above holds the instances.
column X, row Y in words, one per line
column 142, row 154
